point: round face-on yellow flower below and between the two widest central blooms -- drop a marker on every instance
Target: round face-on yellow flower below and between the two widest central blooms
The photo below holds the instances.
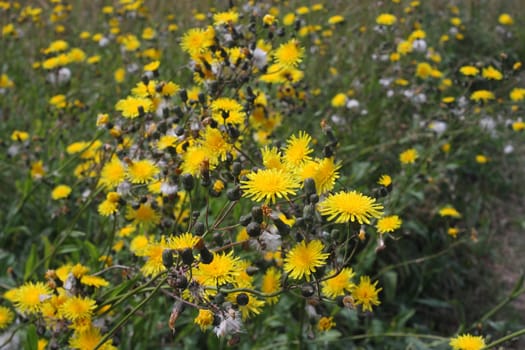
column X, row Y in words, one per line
column 303, row 259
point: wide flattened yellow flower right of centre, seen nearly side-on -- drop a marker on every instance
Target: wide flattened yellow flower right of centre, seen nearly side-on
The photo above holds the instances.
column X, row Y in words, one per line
column 352, row 206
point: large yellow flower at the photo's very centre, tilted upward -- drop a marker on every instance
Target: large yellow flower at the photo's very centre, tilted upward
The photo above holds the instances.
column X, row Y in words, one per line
column 268, row 185
